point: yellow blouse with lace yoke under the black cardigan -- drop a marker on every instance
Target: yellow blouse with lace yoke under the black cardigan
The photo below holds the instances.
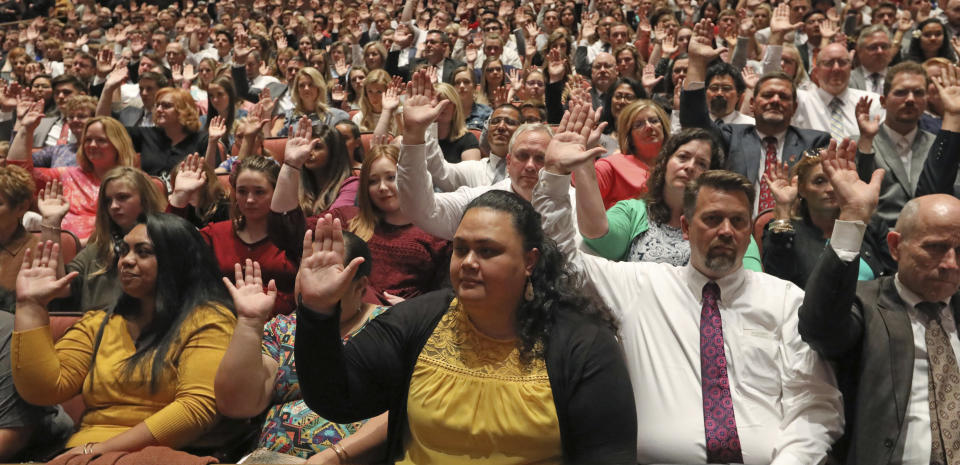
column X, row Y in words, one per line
column 472, row 401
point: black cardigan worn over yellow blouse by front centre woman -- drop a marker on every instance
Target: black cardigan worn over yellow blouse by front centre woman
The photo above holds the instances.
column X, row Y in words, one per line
column 372, row 372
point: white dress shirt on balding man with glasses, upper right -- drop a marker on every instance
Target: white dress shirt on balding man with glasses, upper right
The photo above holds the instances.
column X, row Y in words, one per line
column 813, row 110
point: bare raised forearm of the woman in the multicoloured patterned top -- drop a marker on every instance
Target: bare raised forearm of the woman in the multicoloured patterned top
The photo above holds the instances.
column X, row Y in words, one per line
column 244, row 361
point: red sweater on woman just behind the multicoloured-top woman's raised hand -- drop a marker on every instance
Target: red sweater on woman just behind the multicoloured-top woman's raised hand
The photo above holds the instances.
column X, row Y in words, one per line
column 274, row 263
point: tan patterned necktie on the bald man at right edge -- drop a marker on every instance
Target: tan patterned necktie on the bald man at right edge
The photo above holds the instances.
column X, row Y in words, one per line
column 944, row 389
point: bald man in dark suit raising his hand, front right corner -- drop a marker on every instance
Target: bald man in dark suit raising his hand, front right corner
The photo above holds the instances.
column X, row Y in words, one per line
column 893, row 340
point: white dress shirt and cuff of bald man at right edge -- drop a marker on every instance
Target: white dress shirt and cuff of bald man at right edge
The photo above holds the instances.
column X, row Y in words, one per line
column 916, row 450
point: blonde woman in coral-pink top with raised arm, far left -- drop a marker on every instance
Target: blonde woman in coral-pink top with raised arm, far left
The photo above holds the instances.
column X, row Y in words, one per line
column 104, row 144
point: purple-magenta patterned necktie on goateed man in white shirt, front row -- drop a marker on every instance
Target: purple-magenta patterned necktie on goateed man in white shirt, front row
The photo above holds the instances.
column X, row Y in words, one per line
column 720, row 424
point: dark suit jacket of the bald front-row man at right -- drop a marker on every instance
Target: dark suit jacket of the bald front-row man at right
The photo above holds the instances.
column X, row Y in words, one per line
column 864, row 329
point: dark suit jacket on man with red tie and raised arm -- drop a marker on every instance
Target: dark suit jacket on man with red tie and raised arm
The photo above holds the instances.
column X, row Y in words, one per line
column 741, row 143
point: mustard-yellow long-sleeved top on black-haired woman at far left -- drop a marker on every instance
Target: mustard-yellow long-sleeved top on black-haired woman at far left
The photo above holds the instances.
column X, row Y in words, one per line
column 180, row 410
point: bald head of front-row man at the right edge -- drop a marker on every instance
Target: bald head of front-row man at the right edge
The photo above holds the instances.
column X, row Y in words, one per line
column 926, row 244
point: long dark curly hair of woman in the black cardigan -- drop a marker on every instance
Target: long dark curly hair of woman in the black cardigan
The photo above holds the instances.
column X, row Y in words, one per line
column 556, row 286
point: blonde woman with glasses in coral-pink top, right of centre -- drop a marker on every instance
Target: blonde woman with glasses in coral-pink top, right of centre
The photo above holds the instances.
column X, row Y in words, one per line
column 641, row 129
